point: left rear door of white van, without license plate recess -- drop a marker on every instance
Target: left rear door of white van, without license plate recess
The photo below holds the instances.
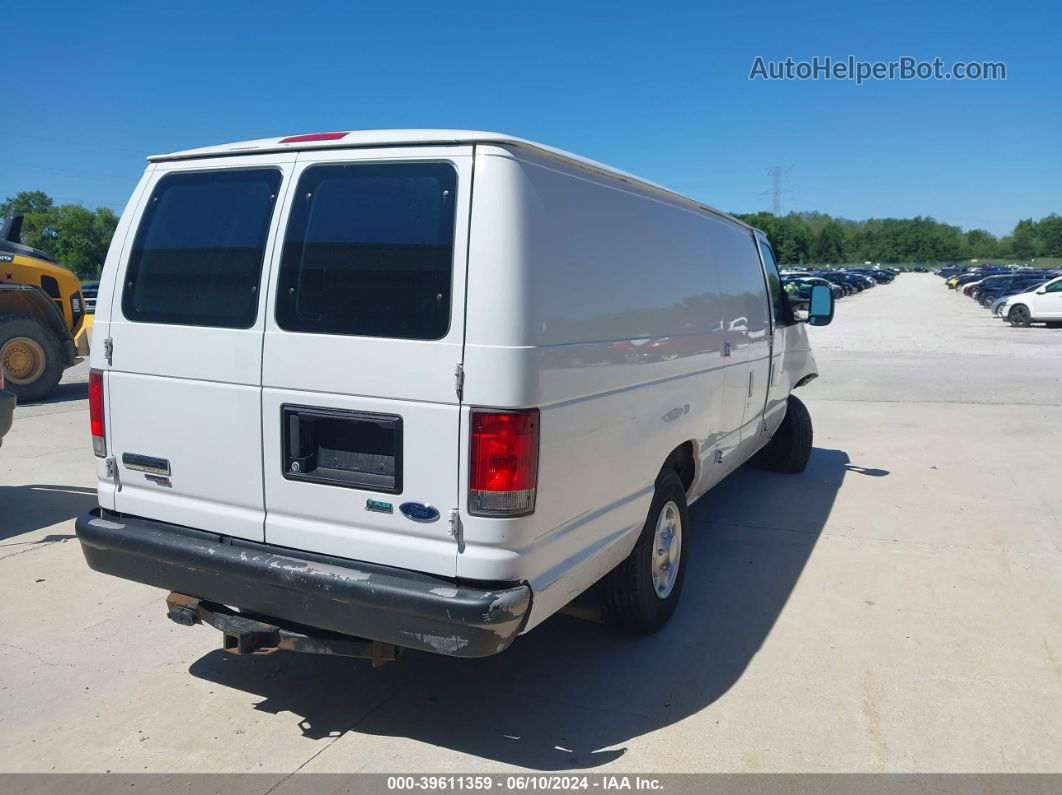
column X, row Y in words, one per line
column 184, row 386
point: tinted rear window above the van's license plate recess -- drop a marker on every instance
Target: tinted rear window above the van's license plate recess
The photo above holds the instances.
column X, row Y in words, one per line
column 369, row 251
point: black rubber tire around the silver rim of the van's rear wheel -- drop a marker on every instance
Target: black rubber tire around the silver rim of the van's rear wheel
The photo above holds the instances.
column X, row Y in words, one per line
column 631, row 600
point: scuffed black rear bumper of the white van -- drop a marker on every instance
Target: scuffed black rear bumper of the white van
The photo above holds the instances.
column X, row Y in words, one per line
column 381, row 603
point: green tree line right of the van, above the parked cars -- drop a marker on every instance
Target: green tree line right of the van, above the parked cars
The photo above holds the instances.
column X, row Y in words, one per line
column 816, row 238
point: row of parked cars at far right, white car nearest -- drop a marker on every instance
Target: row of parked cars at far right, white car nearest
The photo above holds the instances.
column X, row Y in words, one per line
column 1018, row 296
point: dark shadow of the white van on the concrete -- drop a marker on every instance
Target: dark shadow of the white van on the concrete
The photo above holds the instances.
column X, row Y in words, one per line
column 570, row 695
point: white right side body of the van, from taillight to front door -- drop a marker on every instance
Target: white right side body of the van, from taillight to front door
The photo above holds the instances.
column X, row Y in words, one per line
column 601, row 305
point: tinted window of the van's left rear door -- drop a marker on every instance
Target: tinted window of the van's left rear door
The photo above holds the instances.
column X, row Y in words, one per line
column 198, row 255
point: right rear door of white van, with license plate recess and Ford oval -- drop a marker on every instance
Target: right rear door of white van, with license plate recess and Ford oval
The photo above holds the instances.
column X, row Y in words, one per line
column 361, row 406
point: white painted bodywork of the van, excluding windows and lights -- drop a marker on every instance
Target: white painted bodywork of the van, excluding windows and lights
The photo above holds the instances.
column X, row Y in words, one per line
column 635, row 320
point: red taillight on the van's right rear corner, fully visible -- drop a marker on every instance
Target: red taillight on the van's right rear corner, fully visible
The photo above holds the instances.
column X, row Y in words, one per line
column 504, row 456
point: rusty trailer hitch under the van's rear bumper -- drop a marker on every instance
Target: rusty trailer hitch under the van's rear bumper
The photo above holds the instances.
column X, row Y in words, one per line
column 243, row 634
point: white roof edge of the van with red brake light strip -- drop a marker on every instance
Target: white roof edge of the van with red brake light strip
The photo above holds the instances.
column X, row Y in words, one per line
column 364, row 139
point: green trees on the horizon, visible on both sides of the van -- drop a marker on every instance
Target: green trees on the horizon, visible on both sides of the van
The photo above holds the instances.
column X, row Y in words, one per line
column 79, row 237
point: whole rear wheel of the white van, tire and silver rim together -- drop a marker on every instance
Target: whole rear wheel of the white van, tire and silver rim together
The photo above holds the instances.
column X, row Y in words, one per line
column 642, row 593
